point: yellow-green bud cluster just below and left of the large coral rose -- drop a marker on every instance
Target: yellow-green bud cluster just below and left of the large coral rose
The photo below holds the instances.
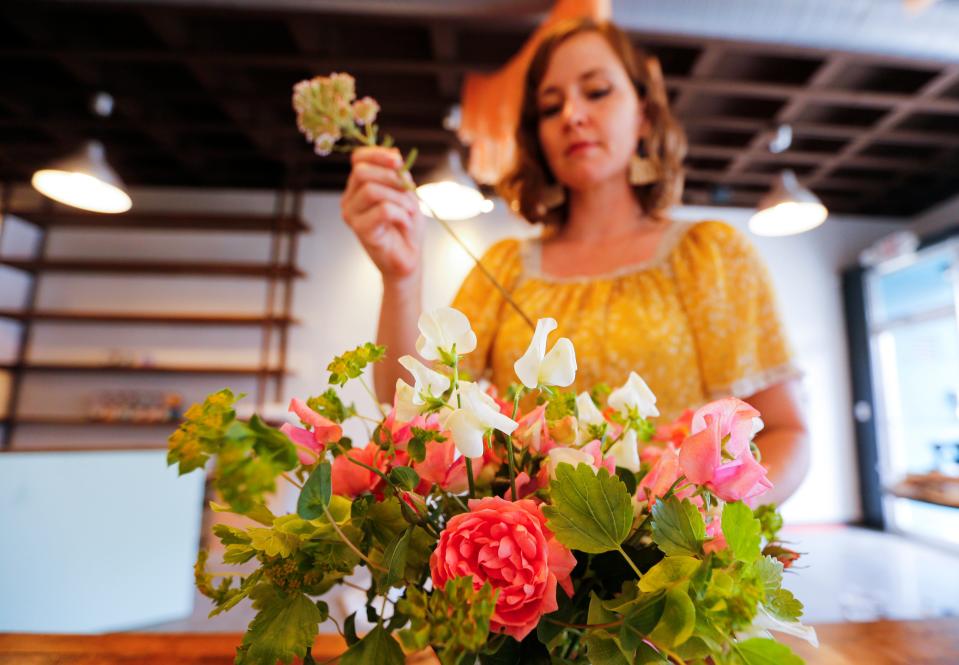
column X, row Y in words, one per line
column 454, row 619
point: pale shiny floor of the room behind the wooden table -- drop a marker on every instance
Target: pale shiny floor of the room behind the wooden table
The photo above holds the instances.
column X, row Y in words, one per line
column 845, row 574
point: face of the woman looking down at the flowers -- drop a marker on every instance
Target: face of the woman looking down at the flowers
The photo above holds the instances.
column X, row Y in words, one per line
column 589, row 113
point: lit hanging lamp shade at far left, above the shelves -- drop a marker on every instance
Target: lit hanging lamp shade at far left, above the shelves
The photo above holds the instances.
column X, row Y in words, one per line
column 84, row 180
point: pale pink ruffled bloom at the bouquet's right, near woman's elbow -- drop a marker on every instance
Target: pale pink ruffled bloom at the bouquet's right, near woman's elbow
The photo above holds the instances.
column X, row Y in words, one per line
column 717, row 454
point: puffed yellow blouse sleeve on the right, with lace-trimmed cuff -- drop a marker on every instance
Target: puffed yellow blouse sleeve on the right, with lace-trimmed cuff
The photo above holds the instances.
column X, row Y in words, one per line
column 732, row 310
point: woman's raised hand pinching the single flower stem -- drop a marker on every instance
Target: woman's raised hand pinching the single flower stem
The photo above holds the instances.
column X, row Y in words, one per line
column 381, row 208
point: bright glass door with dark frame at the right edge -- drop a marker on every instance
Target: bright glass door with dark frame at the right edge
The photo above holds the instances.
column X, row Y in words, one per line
column 914, row 345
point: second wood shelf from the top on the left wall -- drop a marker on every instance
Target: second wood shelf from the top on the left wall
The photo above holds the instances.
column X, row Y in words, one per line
column 167, row 268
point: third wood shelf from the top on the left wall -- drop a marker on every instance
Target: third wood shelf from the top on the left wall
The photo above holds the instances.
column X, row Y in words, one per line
column 146, row 318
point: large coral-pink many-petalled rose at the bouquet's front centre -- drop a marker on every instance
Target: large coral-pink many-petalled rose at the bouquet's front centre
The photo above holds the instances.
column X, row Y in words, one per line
column 508, row 545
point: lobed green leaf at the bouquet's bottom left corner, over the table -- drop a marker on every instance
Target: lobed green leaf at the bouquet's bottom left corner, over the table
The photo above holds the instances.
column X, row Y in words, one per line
column 284, row 627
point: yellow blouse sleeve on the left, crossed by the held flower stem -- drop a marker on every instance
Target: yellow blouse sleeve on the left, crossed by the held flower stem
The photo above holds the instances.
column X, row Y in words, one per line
column 483, row 303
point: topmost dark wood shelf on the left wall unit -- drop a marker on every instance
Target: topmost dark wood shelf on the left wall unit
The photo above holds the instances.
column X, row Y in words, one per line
column 163, row 221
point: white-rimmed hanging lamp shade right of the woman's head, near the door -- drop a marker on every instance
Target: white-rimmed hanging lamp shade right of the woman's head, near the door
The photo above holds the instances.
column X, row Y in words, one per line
column 788, row 208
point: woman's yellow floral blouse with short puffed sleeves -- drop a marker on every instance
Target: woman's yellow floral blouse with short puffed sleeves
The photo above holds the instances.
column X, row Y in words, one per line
column 697, row 321
